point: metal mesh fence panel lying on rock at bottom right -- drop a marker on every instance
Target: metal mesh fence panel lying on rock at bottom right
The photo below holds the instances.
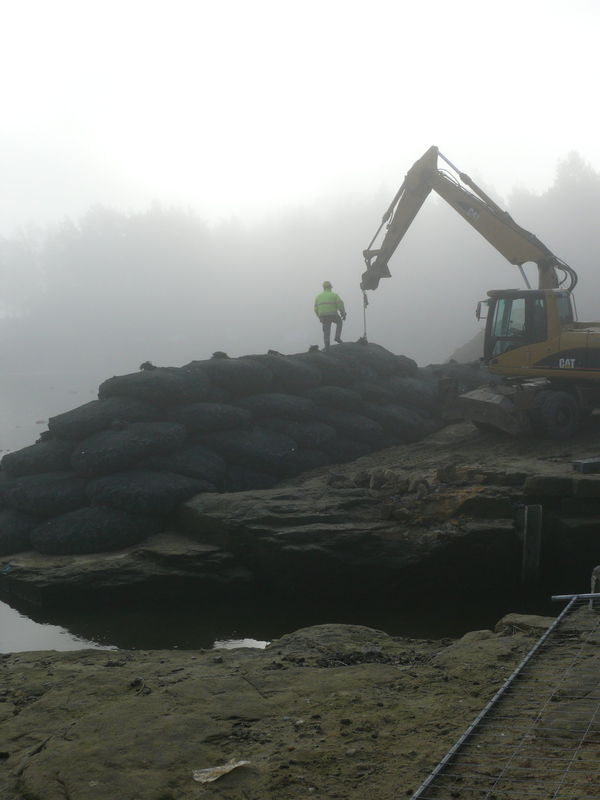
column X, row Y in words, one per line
column 539, row 736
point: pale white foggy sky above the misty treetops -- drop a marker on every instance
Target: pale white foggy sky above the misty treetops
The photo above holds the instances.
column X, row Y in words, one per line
column 242, row 110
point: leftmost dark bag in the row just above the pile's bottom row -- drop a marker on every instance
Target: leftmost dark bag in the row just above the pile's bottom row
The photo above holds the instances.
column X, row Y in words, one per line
column 45, row 494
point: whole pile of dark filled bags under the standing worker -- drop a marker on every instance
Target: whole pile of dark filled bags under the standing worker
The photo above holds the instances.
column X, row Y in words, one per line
column 110, row 473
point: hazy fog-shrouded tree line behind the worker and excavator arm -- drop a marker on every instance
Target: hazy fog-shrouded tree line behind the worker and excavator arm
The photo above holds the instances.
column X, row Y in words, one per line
column 115, row 289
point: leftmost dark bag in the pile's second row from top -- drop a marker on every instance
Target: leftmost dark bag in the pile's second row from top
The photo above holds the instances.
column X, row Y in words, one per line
column 99, row 415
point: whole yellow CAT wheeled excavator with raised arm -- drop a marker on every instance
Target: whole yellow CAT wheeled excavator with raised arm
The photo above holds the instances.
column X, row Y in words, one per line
column 544, row 365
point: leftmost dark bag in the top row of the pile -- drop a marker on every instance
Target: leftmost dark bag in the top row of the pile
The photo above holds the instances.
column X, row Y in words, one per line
column 161, row 387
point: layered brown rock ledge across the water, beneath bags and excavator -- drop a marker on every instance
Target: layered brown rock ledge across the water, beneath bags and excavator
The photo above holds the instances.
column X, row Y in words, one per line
column 428, row 517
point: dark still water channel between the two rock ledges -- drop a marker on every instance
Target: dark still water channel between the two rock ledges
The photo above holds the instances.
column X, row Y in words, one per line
column 192, row 624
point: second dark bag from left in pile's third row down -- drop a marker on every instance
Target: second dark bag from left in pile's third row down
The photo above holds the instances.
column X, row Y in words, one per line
column 114, row 450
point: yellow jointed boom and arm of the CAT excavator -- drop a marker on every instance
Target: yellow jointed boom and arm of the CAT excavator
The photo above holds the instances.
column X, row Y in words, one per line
column 516, row 244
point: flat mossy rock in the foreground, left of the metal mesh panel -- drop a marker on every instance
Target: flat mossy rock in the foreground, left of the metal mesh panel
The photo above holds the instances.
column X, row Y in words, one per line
column 336, row 711
